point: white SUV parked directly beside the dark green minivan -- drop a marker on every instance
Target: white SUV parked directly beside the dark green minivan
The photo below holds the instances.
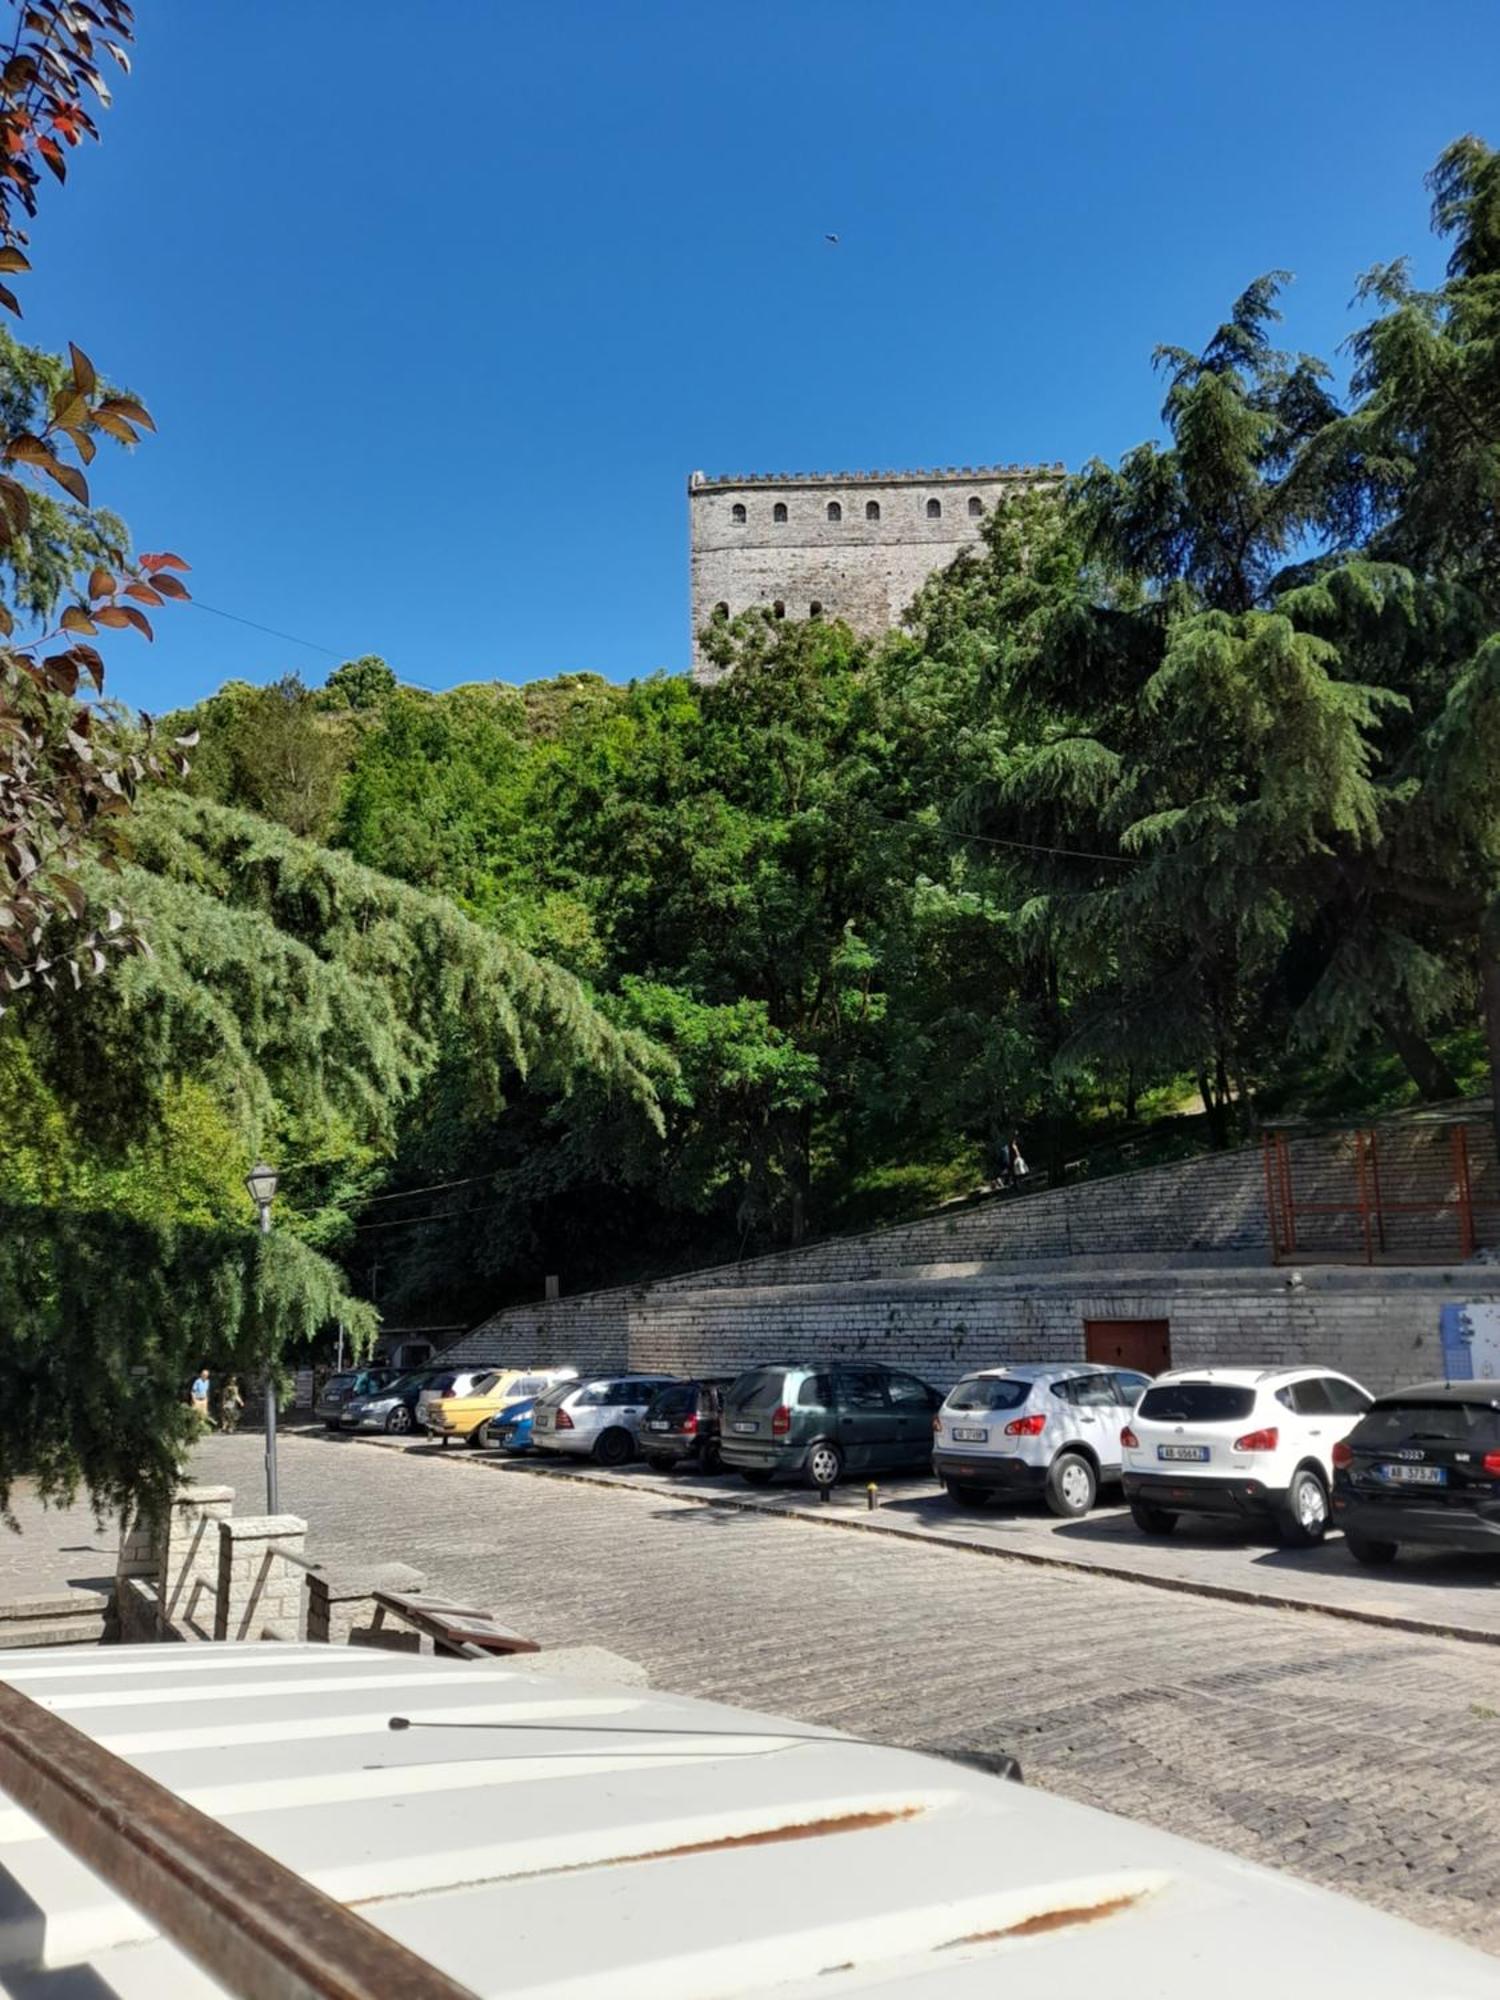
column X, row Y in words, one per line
column 1047, row 1429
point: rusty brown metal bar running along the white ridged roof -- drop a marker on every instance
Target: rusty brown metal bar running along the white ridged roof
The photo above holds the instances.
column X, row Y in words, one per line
column 251, row 1923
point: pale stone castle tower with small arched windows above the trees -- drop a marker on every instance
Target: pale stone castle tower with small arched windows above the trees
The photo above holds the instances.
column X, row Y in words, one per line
column 835, row 545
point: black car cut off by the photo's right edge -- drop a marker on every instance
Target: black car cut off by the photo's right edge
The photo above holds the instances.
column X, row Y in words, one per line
column 1423, row 1467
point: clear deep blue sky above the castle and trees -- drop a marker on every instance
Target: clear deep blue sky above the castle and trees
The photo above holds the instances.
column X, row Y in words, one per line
column 439, row 305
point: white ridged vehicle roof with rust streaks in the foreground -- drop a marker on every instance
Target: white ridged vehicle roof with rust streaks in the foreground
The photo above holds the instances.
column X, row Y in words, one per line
column 613, row 1843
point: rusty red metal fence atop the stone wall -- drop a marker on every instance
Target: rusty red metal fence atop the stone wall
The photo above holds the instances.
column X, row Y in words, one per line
column 1421, row 1191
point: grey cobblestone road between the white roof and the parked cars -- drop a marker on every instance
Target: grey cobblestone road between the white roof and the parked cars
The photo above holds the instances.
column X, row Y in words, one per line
column 1357, row 1757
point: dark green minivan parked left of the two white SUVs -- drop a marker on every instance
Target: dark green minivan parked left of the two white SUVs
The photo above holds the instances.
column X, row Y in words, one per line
column 821, row 1423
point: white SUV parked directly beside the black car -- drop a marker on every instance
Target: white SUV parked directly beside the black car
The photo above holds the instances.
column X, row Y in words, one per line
column 1257, row 1443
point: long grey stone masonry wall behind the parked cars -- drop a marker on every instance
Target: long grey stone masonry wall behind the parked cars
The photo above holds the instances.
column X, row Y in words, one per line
column 1015, row 1279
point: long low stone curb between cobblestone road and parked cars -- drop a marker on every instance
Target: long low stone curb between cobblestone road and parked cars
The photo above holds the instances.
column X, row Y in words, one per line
column 873, row 1525
